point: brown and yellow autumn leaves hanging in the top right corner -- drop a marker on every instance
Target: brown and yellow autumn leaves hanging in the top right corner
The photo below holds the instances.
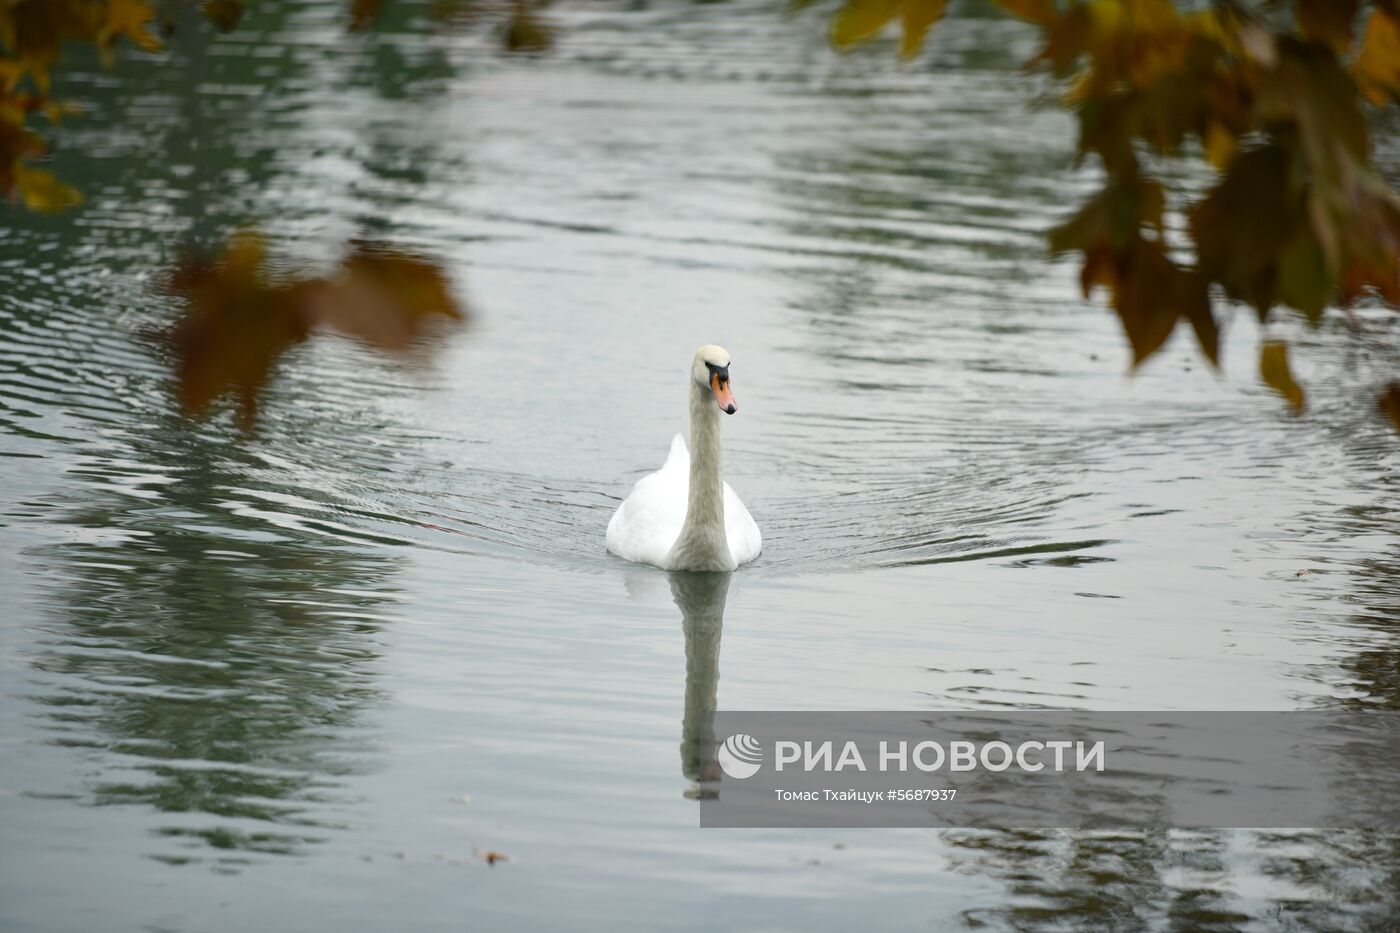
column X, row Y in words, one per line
column 1273, row 97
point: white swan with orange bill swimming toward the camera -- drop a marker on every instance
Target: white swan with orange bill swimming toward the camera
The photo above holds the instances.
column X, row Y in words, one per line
column 685, row 516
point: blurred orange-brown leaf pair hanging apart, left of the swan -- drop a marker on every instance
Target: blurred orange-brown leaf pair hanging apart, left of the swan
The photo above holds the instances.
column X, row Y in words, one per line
column 239, row 322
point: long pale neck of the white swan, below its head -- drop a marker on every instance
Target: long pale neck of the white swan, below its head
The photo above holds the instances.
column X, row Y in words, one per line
column 702, row 544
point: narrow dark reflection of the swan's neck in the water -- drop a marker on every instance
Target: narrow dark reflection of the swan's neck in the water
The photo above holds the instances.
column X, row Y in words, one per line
column 701, row 599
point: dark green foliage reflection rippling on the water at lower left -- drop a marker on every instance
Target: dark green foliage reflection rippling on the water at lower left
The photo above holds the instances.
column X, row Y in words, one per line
column 225, row 663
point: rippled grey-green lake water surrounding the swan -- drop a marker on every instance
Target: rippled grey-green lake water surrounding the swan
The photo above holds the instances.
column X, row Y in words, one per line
column 303, row 682
